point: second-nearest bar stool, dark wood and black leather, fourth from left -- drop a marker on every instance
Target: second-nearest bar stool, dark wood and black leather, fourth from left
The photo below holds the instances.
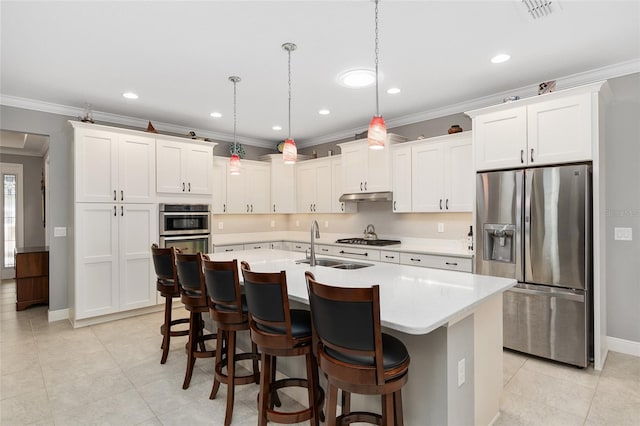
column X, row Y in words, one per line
column 280, row 331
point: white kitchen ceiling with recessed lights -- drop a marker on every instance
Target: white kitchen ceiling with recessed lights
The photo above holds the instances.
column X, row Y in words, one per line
column 177, row 55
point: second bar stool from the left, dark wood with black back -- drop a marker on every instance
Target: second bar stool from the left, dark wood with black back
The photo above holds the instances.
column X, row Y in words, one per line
column 194, row 298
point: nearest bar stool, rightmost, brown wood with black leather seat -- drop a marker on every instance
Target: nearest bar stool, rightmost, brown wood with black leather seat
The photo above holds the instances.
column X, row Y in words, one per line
column 354, row 354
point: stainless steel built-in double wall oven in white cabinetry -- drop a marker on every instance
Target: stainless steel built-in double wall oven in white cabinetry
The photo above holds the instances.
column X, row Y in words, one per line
column 185, row 226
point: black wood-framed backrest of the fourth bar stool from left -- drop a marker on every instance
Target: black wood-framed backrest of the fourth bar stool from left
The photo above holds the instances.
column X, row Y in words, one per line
column 268, row 304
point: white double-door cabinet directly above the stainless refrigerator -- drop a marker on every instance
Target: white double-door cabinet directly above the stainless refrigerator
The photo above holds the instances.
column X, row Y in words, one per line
column 554, row 128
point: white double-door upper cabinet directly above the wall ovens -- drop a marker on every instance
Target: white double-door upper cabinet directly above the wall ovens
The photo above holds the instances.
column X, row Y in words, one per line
column 184, row 167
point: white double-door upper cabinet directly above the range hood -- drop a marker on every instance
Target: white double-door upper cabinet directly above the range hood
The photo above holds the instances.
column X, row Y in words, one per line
column 364, row 169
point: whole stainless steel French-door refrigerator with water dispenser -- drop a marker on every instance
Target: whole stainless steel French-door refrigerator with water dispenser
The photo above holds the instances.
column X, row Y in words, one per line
column 534, row 225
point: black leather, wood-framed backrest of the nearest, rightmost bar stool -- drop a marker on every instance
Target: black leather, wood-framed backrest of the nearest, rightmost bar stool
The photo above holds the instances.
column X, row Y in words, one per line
column 347, row 320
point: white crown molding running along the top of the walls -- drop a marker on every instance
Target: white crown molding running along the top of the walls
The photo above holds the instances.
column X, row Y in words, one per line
column 603, row 73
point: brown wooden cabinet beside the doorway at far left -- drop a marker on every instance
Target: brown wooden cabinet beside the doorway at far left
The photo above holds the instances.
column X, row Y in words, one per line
column 32, row 276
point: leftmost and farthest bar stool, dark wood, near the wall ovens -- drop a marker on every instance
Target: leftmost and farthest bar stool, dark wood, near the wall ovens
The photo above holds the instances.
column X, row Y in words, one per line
column 164, row 262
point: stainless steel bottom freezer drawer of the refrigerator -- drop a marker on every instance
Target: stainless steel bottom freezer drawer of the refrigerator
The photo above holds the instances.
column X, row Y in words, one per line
column 548, row 322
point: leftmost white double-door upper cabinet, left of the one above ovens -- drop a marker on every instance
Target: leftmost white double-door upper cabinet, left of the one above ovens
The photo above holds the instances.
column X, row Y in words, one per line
column 113, row 167
